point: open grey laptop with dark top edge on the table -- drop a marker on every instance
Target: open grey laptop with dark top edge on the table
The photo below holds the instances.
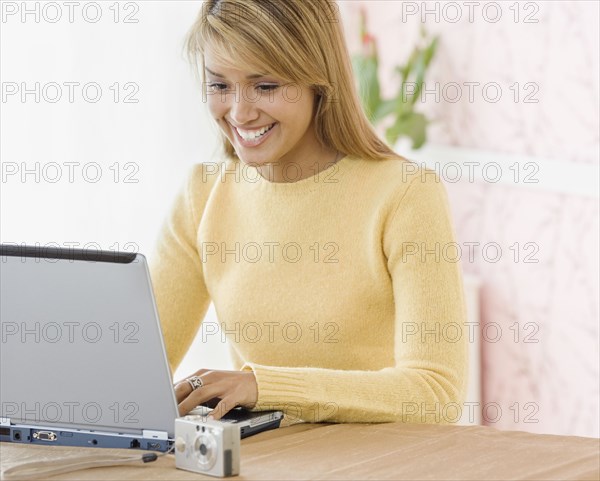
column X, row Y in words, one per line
column 82, row 358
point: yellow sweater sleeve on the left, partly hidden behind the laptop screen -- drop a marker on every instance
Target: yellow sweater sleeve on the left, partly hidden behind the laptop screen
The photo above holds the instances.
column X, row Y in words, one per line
column 176, row 271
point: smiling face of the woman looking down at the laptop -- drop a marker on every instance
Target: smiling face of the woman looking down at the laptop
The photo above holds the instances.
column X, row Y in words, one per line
column 267, row 120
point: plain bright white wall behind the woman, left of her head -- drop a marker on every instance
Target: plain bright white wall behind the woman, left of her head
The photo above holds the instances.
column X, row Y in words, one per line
column 161, row 135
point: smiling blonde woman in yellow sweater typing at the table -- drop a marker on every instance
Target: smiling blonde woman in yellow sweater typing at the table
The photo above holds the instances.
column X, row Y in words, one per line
column 322, row 250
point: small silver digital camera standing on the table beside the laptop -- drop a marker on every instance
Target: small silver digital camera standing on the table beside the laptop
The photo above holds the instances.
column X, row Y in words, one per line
column 206, row 446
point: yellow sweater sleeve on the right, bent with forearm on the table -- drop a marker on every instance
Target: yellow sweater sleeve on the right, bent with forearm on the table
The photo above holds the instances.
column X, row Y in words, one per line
column 428, row 381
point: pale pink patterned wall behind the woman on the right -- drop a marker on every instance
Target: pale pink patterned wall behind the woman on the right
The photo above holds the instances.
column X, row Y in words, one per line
column 555, row 381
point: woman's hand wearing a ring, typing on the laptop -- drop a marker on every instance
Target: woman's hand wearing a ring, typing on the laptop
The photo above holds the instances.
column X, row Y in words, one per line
column 233, row 388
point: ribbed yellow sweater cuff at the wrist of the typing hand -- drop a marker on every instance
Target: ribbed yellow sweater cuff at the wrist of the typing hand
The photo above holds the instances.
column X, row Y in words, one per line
column 279, row 387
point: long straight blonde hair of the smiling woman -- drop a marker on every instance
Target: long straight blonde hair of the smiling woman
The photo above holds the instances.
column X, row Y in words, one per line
column 298, row 41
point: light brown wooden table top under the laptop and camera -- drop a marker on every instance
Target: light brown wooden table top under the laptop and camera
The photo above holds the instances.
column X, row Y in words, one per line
column 368, row 451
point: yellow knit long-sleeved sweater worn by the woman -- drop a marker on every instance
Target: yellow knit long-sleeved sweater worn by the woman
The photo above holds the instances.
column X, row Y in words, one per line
column 340, row 291
